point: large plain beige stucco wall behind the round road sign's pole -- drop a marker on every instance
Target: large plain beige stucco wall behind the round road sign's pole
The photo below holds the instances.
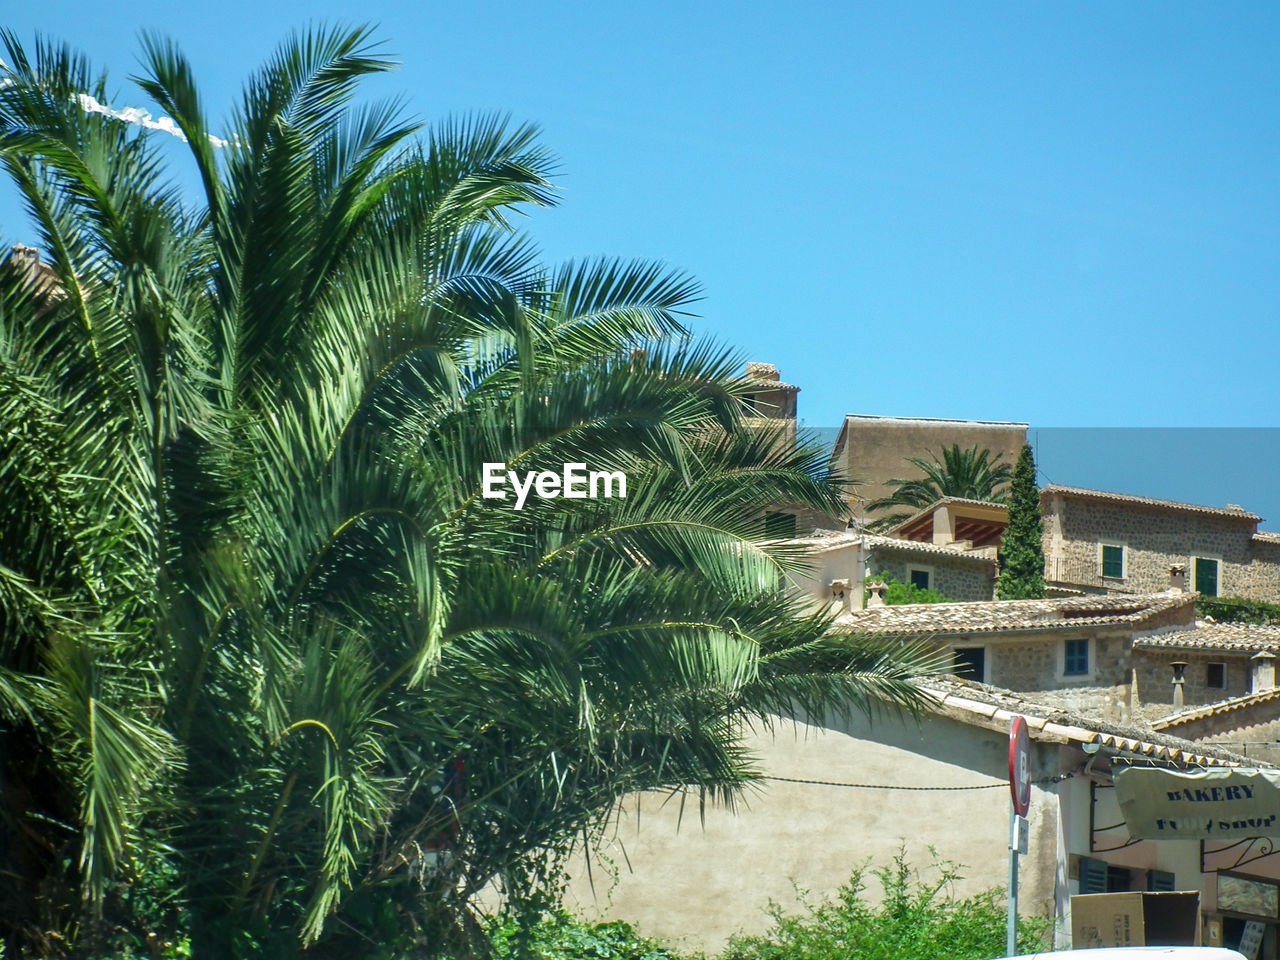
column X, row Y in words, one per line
column 700, row 883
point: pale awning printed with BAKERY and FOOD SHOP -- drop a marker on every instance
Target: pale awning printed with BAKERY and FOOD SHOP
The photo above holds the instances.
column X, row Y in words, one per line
column 1228, row 803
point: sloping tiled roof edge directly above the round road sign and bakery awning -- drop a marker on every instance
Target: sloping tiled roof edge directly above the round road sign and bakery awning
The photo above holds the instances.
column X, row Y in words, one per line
column 994, row 708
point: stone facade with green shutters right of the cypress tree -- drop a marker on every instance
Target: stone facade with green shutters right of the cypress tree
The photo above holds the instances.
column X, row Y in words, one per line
column 1155, row 537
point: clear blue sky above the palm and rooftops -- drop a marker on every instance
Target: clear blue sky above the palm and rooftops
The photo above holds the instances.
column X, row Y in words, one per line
column 1064, row 214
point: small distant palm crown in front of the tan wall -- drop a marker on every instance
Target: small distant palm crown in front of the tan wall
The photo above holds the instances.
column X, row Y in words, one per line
column 970, row 474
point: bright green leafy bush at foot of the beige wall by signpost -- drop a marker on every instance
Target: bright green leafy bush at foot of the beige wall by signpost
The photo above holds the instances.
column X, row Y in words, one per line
column 917, row 921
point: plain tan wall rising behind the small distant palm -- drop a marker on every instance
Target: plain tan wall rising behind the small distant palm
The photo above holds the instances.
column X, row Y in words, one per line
column 876, row 449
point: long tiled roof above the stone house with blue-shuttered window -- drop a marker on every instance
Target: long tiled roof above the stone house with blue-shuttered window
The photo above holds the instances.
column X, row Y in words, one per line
column 1012, row 616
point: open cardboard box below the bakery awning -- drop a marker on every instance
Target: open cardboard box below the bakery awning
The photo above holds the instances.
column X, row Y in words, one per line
column 1167, row 920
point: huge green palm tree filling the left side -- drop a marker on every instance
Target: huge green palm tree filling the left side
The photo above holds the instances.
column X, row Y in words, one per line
column 262, row 637
